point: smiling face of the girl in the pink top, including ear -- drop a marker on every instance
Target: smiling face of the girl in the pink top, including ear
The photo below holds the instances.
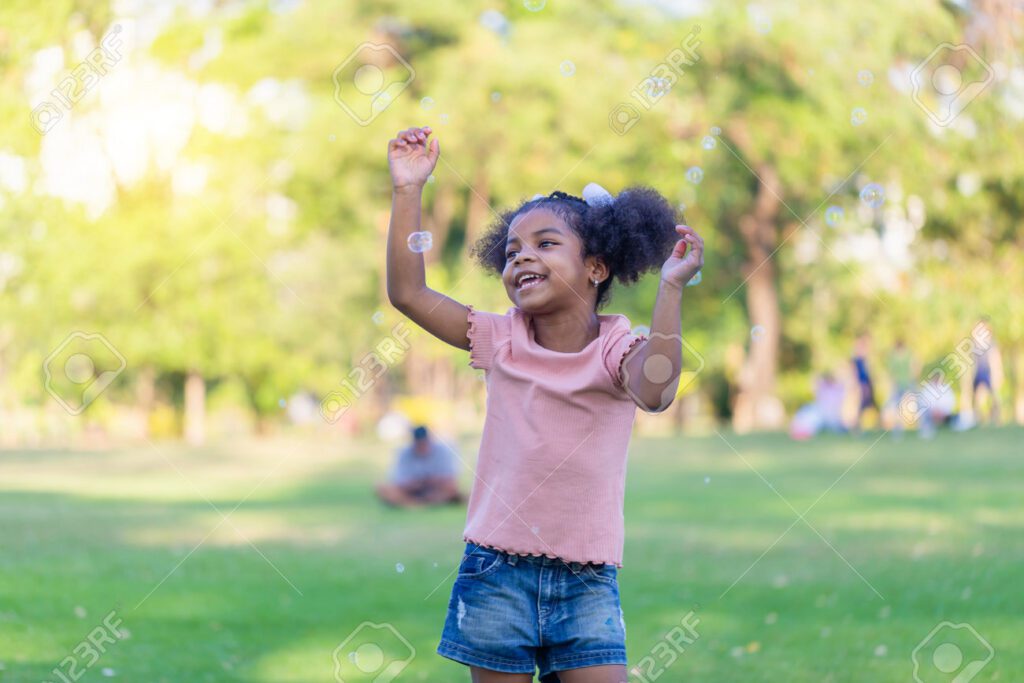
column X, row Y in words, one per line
column 540, row 243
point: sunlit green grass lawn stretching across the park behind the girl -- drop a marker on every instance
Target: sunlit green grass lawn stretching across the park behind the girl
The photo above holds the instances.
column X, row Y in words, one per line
column 913, row 534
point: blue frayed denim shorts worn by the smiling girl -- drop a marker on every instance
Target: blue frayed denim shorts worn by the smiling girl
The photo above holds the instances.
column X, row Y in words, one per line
column 518, row 614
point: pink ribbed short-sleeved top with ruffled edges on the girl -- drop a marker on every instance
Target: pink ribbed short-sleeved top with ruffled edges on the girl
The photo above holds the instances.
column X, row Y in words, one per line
column 551, row 473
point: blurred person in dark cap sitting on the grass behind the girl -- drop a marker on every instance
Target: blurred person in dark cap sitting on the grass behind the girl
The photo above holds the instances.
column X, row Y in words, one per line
column 424, row 474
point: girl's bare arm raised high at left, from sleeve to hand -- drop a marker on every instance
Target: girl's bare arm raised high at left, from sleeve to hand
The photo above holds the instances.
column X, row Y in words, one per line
column 411, row 161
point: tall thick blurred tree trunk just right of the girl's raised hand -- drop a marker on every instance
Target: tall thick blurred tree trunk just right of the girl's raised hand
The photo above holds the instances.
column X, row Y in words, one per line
column 757, row 406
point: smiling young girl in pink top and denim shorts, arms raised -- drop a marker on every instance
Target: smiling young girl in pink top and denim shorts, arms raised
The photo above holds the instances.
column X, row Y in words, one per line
column 537, row 587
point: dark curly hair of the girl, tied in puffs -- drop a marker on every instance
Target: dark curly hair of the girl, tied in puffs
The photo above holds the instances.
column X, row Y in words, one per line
column 633, row 235
